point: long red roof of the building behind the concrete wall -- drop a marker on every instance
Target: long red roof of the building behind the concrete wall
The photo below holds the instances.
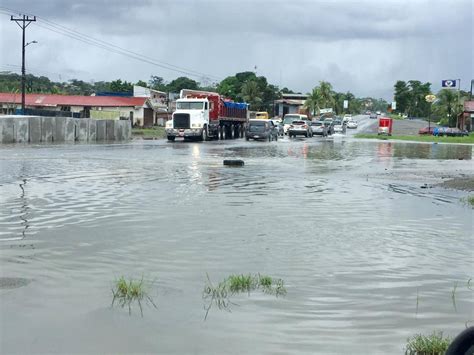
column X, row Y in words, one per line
column 72, row 100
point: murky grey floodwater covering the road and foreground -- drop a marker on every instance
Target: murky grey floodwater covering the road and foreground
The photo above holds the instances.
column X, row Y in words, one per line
column 369, row 247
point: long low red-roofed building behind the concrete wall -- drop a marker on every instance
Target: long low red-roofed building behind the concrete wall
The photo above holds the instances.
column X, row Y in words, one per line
column 138, row 109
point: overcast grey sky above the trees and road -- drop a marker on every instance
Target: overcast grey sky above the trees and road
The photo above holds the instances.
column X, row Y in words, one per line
column 362, row 46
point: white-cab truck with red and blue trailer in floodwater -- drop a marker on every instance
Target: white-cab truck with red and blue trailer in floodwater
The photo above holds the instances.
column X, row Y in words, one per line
column 204, row 115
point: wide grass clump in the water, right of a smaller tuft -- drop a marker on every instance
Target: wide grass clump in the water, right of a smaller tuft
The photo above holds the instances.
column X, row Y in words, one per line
column 220, row 295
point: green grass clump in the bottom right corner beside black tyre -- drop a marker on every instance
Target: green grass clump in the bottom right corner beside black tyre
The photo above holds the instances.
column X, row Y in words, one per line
column 434, row 344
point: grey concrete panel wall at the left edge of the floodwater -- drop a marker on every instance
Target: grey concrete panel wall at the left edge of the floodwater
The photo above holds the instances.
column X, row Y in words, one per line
column 35, row 129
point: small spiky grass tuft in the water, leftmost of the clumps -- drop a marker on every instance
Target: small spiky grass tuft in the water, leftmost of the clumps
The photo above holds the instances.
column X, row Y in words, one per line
column 125, row 292
